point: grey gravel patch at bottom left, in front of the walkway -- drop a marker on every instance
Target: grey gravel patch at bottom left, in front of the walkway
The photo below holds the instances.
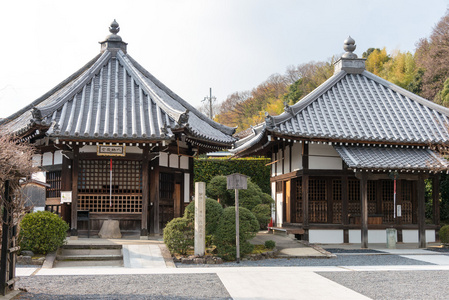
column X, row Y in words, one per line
column 172, row 286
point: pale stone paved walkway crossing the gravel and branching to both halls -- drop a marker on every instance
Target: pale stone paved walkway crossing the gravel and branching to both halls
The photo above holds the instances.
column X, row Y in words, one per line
column 147, row 257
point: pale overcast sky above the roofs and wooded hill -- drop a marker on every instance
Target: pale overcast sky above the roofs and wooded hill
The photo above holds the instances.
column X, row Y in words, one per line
column 193, row 45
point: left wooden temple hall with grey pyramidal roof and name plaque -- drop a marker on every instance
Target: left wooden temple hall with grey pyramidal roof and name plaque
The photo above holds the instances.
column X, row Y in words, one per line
column 113, row 142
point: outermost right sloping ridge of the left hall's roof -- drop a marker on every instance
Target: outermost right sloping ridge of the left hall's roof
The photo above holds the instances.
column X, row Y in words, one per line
column 223, row 128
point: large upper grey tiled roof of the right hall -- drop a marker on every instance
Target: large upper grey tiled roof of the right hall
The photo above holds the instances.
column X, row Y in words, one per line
column 363, row 107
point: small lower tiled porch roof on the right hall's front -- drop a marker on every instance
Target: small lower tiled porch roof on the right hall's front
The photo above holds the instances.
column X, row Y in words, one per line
column 391, row 158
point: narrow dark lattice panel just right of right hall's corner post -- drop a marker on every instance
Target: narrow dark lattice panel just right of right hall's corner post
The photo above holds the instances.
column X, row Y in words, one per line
column 317, row 201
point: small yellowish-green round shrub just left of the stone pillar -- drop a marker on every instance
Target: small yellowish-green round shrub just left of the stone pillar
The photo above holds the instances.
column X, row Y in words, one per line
column 179, row 235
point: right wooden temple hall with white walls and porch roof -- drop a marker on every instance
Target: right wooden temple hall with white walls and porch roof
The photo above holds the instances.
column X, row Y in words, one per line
column 352, row 158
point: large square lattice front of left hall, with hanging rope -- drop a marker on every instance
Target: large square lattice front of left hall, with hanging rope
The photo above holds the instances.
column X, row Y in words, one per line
column 94, row 186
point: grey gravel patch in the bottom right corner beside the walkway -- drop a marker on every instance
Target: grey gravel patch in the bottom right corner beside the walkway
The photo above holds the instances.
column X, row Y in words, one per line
column 394, row 285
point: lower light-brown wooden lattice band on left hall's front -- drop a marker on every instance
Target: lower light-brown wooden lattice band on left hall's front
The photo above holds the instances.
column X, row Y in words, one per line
column 115, row 204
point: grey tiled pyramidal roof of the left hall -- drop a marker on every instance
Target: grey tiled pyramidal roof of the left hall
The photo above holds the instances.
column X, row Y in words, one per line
column 114, row 98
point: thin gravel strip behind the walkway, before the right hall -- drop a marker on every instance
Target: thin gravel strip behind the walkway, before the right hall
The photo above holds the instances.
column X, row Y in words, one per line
column 353, row 260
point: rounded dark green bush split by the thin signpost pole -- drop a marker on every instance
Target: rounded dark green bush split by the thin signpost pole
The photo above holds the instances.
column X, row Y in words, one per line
column 224, row 238
